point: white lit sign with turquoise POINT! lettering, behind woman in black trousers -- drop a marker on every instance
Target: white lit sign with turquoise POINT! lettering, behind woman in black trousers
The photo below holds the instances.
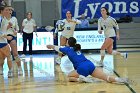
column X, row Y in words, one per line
column 39, row 42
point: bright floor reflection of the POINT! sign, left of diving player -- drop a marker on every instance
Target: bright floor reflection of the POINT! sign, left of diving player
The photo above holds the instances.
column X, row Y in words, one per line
column 36, row 67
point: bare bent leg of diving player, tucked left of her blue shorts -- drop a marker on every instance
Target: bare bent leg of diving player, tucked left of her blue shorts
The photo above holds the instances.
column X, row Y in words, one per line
column 73, row 76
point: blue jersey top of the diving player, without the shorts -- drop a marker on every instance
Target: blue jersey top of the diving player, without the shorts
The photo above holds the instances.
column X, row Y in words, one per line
column 76, row 57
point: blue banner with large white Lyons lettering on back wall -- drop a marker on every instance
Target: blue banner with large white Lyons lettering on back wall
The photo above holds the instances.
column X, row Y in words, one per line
column 117, row 8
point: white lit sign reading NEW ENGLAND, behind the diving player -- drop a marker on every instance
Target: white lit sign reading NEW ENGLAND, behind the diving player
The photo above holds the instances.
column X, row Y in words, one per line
column 89, row 39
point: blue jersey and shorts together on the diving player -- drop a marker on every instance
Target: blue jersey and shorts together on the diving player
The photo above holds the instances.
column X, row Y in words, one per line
column 83, row 66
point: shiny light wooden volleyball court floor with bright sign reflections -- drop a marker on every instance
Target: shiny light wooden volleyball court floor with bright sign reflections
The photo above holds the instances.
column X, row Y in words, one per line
column 41, row 74
